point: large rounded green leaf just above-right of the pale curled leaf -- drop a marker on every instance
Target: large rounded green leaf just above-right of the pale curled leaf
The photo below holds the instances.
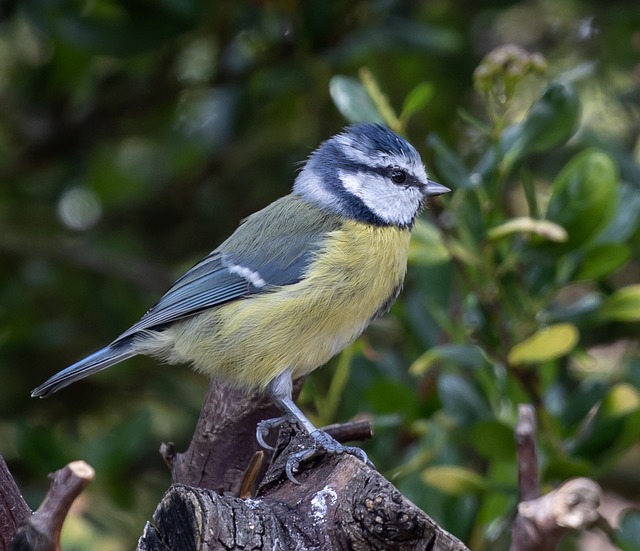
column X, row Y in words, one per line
column 584, row 196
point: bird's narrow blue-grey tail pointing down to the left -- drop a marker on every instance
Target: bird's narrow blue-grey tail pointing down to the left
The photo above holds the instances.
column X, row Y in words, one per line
column 106, row 357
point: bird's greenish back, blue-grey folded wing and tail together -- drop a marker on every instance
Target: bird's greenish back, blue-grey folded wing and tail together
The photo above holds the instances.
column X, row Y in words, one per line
column 269, row 250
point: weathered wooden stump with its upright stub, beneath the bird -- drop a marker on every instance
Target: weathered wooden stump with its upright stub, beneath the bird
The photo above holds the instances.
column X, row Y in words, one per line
column 340, row 504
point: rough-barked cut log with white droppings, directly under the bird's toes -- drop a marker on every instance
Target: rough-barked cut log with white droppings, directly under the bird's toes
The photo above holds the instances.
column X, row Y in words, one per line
column 340, row 503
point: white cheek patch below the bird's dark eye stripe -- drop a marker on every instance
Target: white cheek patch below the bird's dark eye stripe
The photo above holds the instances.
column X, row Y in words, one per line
column 390, row 202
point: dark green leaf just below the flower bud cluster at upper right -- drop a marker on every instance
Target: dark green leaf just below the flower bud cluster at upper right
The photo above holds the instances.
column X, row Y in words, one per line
column 550, row 122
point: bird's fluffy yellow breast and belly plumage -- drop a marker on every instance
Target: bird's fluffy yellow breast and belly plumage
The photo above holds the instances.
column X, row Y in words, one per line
column 301, row 326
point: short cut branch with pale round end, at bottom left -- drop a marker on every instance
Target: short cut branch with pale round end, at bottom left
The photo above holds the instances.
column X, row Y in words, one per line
column 41, row 531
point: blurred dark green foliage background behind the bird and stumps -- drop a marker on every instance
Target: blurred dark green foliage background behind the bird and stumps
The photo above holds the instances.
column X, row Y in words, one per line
column 134, row 136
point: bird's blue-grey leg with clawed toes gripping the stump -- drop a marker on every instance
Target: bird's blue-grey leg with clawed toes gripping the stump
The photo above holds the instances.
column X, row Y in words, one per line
column 280, row 391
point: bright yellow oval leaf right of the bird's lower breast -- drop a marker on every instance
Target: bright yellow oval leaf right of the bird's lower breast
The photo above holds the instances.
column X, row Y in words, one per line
column 546, row 344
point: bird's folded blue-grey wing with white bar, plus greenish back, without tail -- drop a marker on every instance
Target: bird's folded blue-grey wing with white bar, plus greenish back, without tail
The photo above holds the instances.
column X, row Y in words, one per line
column 240, row 268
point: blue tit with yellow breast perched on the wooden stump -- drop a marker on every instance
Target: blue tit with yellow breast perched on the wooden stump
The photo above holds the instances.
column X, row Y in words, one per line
column 296, row 283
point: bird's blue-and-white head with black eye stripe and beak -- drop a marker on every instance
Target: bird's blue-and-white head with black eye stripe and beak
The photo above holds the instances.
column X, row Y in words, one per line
column 368, row 173
